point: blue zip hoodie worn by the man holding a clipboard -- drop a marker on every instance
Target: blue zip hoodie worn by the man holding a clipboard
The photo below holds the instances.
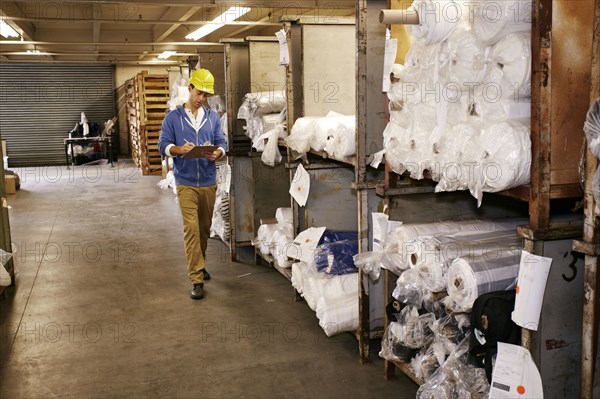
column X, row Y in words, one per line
column 176, row 128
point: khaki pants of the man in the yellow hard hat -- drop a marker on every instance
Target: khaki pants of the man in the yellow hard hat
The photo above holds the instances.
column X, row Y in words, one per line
column 196, row 205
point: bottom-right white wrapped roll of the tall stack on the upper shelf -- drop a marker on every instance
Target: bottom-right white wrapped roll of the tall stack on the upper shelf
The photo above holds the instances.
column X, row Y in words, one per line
column 506, row 158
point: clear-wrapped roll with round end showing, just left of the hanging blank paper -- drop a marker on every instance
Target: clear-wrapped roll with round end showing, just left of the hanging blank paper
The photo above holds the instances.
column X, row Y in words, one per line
column 468, row 279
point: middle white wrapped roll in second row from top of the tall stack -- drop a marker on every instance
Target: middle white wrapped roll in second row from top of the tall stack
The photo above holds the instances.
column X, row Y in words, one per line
column 463, row 60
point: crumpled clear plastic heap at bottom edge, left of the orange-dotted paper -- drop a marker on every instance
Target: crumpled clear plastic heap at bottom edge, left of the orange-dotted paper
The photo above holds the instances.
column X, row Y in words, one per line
column 456, row 378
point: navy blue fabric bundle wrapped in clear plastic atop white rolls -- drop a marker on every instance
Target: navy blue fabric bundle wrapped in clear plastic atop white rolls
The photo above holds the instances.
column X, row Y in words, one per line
column 335, row 253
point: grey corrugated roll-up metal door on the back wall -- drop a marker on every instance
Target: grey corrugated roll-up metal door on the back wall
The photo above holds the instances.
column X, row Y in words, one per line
column 40, row 105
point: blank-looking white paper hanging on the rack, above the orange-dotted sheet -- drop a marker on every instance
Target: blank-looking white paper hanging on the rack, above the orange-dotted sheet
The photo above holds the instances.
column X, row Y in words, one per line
column 531, row 285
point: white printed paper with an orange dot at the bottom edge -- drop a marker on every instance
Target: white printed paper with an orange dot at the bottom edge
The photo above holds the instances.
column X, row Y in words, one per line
column 515, row 374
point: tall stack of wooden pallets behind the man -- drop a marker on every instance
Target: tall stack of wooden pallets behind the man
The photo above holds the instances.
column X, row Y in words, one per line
column 147, row 99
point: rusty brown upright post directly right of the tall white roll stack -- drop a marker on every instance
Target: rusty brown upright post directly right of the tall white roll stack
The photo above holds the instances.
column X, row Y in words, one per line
column 541, row 108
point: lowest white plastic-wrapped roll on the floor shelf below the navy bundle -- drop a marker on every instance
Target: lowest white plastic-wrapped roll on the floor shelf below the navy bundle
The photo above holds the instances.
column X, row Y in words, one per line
column 338, row 315
